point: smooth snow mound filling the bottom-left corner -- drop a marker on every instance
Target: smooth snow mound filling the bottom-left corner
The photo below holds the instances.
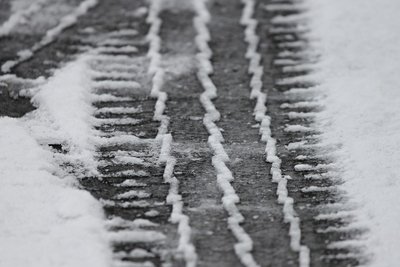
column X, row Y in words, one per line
column 45, row 218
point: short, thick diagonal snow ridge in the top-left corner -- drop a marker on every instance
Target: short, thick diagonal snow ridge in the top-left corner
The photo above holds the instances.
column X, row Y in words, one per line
column 19, row 16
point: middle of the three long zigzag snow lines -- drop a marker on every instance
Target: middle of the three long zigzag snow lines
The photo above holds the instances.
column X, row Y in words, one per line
column 244, row 246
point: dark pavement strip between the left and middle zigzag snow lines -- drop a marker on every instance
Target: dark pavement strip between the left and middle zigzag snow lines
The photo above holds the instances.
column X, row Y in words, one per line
column 199, row 189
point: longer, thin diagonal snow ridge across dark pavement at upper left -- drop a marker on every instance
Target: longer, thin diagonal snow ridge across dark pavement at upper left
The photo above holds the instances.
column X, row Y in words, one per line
column 65, row 22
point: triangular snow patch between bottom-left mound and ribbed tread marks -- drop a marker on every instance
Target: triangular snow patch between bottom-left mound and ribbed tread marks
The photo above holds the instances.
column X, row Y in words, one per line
column 64, row 114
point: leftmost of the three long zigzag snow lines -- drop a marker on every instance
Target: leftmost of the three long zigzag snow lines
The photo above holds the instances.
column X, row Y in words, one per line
column 185, row 245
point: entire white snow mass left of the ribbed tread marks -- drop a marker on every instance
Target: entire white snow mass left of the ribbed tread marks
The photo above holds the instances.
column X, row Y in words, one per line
column 46, row 216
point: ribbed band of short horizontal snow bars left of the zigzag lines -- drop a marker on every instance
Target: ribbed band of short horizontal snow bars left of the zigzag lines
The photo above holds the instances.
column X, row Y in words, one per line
column 130, row 182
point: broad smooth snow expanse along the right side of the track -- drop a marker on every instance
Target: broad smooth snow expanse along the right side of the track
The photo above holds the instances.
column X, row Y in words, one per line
column 360, row 54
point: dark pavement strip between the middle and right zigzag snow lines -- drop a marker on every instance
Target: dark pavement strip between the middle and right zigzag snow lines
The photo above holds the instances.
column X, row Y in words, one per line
column 264, row 218
